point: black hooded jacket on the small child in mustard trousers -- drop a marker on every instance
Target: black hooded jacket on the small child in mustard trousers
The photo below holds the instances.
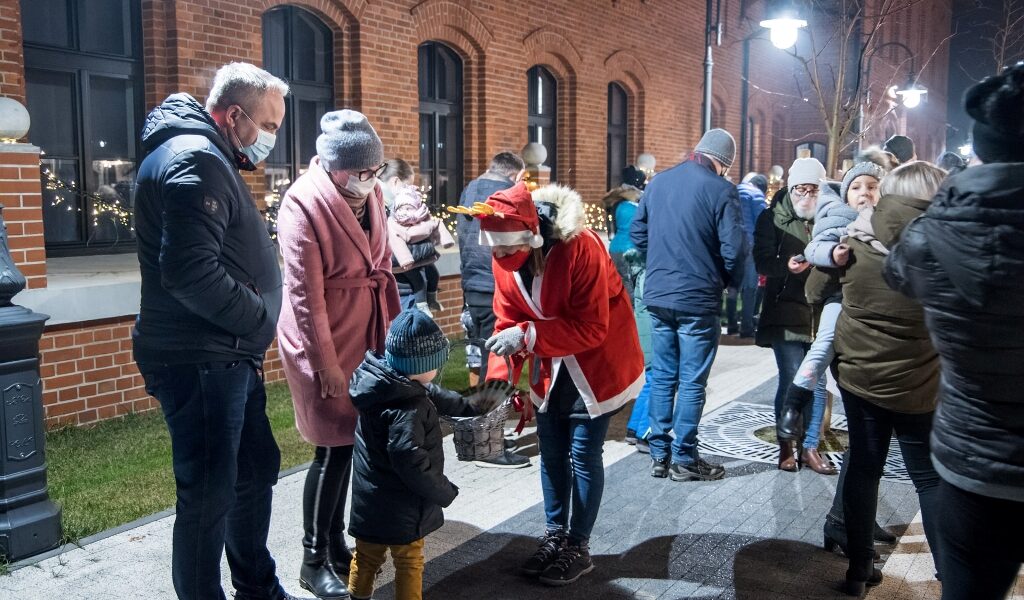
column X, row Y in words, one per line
column 399, row 483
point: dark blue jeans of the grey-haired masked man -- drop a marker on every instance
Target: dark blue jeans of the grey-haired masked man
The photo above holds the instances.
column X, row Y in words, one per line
column 226, row 464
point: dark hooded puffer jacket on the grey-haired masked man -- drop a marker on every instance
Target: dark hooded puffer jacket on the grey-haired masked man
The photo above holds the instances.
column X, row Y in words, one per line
column 211, row 284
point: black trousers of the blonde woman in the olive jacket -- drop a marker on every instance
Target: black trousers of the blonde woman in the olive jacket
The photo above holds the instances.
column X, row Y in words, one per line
column 871, row 430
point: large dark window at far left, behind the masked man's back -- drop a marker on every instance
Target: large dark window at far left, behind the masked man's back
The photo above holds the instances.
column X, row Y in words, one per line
column 83, row 75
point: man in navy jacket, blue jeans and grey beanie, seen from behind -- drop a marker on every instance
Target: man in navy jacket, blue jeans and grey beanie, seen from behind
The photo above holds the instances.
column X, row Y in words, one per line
column 689, row 226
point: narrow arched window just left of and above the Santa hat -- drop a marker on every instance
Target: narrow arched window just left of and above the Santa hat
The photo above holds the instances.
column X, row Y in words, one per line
column 441, row 122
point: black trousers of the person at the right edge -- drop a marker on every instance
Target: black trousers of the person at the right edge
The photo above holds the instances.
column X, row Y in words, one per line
column 979, row 544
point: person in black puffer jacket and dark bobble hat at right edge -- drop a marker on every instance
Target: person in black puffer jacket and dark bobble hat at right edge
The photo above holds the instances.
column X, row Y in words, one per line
column 964, row 261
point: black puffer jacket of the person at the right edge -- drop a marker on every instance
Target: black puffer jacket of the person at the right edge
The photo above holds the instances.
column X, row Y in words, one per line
column 964, row 261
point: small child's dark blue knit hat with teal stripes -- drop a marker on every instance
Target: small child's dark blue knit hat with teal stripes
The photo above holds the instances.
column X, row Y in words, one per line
column 415, row 345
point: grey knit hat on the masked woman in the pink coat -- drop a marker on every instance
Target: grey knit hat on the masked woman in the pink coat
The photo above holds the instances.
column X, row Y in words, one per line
column 349, row 142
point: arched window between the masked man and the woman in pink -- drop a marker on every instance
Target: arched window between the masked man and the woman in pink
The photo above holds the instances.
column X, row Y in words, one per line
column 298, row 49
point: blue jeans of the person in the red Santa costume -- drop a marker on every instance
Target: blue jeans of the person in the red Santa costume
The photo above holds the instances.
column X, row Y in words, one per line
column 572, row 472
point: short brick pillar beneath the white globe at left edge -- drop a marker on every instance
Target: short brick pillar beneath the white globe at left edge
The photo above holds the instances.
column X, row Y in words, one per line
column 21, row 194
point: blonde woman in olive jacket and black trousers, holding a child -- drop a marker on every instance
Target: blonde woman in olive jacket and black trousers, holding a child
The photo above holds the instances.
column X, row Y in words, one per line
column 887, row 370
